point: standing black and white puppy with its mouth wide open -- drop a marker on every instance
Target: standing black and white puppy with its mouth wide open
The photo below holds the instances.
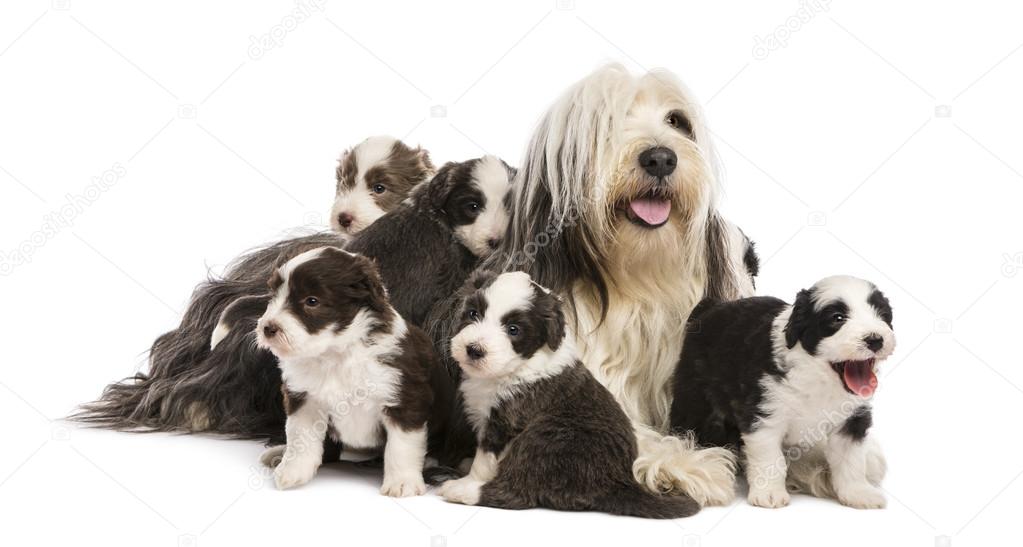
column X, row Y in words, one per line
column 776, row 381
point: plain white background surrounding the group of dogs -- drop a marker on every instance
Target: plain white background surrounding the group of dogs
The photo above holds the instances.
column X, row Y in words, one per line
column 869, row 139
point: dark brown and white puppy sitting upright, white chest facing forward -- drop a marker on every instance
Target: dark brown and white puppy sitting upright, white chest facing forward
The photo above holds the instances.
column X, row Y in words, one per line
column 353, row 371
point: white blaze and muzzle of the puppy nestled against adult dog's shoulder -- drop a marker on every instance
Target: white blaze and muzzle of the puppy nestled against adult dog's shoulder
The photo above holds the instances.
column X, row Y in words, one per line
column 492, row 176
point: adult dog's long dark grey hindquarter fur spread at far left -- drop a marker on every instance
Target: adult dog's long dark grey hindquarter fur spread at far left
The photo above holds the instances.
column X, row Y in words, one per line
column 234, row 389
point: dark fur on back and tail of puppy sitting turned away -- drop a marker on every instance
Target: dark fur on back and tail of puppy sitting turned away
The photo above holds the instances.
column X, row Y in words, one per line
column 566, row 444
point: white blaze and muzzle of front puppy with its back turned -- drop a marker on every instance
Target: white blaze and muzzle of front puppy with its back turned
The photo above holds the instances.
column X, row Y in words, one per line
column 509, row 293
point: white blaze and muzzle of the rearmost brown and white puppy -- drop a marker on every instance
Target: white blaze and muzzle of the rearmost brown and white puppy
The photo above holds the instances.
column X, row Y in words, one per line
column 358, row 201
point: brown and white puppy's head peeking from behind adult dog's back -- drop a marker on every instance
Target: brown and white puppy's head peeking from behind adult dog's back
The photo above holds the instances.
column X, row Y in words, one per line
column 374, row 178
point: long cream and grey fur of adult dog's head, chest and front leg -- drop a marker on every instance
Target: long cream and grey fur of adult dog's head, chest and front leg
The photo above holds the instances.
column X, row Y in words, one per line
column 631, row 288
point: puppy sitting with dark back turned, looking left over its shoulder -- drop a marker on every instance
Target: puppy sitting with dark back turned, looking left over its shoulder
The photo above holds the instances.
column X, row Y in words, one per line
column 549, row 434
